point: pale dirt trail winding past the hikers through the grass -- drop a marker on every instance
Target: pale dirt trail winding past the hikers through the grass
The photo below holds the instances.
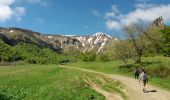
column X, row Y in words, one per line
column 133, row 88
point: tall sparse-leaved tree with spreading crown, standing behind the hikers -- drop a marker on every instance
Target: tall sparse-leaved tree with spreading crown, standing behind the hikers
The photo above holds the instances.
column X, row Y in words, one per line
column 134, row 35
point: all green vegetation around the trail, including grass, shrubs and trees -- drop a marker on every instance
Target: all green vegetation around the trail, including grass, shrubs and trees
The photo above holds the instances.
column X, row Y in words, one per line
column 143, row 47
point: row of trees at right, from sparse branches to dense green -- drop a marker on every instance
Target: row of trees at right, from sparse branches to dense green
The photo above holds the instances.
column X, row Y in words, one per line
column 142, row 40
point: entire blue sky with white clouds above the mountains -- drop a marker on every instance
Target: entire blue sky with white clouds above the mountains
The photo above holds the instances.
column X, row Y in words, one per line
column 80, row 17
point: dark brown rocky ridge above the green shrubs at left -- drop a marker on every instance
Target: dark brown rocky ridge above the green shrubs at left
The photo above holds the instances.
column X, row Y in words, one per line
column 13, row 36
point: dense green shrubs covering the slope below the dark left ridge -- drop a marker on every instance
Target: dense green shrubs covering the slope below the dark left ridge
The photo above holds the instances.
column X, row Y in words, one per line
column 29, row 53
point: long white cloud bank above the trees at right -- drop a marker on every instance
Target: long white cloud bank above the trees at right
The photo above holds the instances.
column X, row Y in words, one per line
column 140, row 13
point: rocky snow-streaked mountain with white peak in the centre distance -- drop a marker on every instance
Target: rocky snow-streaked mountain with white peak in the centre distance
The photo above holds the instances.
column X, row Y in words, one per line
column 95, row 42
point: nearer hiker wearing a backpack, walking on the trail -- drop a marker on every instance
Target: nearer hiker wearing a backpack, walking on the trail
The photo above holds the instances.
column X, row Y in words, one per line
column 143, row 77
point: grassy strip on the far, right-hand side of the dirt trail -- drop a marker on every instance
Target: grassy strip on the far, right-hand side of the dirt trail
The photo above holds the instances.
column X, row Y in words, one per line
column 158, row 69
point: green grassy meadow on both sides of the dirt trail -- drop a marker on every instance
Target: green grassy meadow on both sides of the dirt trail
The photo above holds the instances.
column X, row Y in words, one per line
column 48, row 82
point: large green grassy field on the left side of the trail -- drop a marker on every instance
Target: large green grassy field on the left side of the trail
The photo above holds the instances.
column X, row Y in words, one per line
column 50, row 82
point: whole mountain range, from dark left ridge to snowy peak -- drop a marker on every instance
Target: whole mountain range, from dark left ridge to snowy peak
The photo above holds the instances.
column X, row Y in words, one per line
column 95, row 42
